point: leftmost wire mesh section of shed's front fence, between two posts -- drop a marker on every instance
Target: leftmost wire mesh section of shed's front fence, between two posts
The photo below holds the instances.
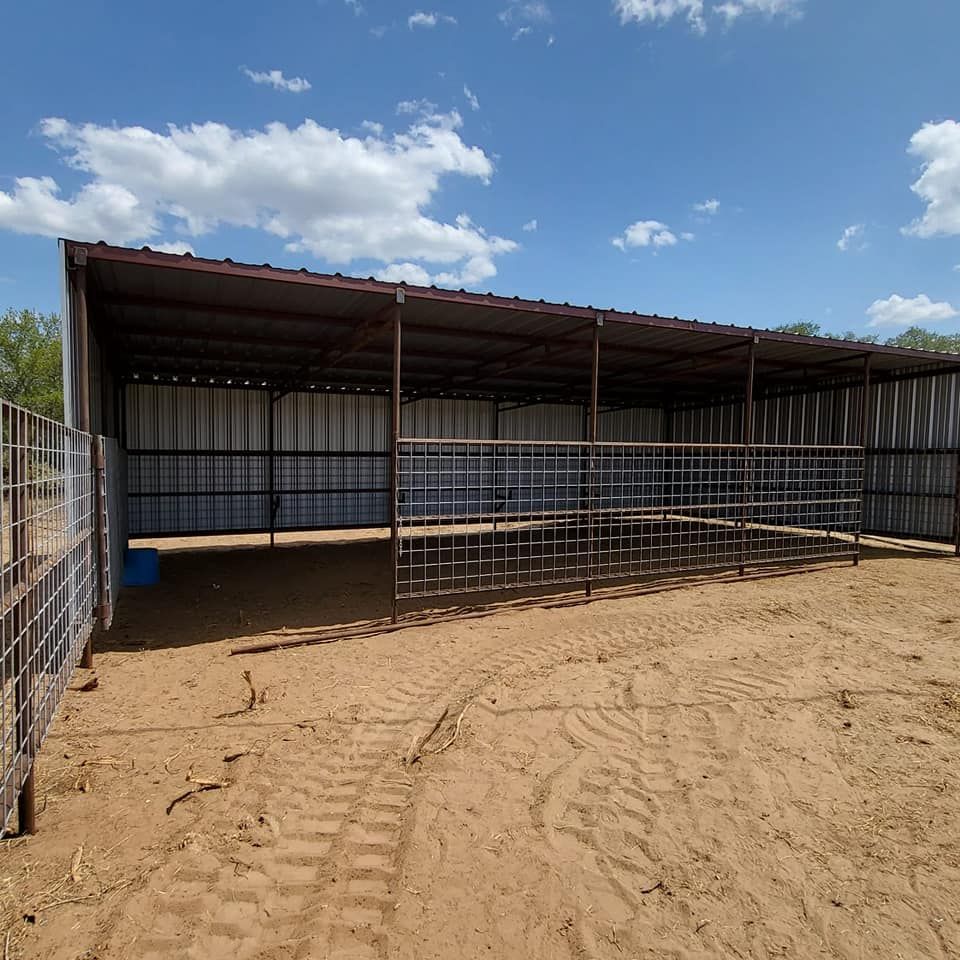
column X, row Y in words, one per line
column 485, row 515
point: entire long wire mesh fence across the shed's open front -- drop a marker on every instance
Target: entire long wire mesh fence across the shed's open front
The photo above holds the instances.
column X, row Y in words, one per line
column 491, row 515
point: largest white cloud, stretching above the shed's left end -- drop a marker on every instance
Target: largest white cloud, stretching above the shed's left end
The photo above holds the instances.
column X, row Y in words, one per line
column 336, row 197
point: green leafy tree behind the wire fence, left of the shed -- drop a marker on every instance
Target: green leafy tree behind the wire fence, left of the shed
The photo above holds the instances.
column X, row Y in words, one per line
column 31, row 372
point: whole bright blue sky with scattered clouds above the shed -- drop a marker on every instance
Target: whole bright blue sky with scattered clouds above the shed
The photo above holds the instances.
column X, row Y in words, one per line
column 740, row 161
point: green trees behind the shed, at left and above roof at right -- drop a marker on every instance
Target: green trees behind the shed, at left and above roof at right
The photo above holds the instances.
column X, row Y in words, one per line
column 31, row 372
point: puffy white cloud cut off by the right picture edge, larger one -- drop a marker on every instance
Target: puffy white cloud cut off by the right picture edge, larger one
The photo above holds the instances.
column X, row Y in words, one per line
column 938, row 146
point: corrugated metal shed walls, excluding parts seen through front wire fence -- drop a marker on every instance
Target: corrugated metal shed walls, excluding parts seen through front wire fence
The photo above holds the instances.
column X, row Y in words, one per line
column 332, row 466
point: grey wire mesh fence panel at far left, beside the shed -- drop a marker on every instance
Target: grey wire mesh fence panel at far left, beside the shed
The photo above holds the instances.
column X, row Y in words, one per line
column 48, row 577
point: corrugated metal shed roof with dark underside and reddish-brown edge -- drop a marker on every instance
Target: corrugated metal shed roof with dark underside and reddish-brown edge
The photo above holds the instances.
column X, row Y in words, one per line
column 162, row 316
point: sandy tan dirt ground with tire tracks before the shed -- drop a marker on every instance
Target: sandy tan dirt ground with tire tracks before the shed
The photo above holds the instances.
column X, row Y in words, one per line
column 764, row 769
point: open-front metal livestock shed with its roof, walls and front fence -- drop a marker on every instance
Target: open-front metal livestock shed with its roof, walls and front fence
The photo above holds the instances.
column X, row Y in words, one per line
column 496, row 443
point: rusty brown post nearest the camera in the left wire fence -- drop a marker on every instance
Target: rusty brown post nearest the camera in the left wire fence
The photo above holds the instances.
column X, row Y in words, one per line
column 22, row 620
